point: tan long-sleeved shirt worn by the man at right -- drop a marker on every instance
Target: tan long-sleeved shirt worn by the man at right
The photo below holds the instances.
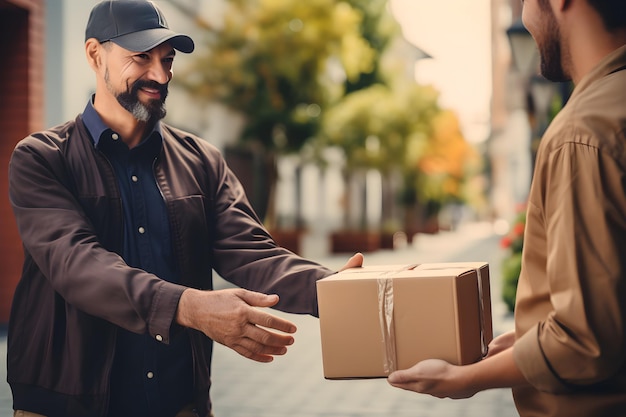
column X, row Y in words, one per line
column 570, row 315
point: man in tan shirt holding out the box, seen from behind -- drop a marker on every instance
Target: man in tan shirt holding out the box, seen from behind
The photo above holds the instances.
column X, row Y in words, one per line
column 567, row 355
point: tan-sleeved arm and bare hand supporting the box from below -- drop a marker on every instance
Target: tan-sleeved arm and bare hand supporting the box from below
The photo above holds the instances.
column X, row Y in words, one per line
column 581, row 340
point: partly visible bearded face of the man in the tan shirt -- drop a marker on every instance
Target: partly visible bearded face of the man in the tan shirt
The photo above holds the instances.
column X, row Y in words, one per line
column 541, row 22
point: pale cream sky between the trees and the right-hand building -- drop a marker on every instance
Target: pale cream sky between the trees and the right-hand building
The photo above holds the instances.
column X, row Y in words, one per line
column 457, row 34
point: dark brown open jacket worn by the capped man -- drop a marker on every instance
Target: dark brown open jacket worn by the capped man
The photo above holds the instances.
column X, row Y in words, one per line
column 76, row 291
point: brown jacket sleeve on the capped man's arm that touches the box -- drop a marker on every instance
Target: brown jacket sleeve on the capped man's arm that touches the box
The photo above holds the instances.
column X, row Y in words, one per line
column 246, row 255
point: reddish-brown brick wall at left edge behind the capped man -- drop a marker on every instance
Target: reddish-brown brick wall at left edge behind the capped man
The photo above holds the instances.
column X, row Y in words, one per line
column 21, row 112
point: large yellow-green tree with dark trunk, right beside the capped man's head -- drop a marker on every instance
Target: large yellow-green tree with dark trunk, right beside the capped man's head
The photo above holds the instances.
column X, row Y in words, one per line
column 279, row 63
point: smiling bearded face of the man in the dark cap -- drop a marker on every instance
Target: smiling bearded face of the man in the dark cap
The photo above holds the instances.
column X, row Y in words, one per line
column 139, row 80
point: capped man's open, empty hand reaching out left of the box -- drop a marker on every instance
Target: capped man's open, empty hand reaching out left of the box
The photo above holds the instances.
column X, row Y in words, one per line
column 229, row 317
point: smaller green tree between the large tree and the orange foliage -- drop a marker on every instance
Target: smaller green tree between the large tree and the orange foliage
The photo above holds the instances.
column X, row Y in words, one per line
column 385, row 129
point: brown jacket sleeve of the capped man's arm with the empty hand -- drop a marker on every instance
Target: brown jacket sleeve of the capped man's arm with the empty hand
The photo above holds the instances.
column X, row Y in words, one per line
column 61, row 240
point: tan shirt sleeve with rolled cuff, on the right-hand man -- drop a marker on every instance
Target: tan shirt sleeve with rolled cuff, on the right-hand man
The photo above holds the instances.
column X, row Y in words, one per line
column 581, row 340
